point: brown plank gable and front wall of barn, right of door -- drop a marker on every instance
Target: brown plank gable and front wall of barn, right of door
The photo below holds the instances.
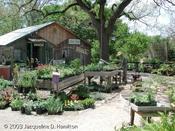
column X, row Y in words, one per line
column 59, row 36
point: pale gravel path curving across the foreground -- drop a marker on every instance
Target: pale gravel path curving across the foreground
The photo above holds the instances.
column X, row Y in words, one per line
column 105, row 117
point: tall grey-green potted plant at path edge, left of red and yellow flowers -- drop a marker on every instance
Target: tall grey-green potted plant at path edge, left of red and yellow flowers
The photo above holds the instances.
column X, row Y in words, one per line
column 54, row 106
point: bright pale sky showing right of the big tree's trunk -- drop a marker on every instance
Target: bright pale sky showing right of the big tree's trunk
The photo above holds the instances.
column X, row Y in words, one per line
column 157, row 25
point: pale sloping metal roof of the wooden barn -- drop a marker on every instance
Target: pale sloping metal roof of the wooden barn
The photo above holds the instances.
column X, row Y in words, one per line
column 17, row 34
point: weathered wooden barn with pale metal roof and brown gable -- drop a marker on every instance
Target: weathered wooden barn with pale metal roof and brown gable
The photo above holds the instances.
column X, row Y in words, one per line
column 46, row 42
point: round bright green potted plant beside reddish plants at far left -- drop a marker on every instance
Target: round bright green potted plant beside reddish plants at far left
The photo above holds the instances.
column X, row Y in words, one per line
column 16, row 104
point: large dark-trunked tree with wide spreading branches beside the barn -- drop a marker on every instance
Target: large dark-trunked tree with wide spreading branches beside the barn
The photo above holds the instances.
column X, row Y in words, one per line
column 103, row 17
